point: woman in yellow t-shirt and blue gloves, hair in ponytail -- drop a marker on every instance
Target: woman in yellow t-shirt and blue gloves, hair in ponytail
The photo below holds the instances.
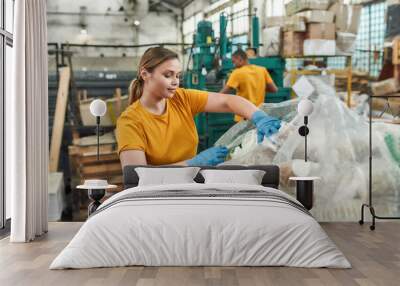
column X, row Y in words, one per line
column 158, row 127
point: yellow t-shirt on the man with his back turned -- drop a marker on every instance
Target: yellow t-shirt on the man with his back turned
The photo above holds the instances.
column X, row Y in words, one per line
column 250, row 82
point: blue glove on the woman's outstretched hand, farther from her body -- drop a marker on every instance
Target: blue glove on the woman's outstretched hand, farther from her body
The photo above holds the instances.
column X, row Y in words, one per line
column 266, row 125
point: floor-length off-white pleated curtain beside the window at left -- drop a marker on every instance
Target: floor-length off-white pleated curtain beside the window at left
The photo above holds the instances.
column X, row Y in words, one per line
column 27, row 123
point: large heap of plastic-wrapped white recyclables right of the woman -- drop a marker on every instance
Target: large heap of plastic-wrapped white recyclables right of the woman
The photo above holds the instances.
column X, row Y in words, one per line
column 337, row 152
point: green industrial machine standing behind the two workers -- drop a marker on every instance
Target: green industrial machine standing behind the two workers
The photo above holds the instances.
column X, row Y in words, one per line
column 211, row 66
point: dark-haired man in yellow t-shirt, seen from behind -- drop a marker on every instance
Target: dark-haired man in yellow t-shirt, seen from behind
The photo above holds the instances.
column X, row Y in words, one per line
column 249, row 81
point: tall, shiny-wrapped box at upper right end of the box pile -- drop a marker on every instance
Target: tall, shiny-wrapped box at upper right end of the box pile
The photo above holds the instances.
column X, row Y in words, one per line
column 347, row 17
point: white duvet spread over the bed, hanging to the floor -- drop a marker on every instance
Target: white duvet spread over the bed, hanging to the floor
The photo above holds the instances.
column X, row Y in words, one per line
column 204, row 231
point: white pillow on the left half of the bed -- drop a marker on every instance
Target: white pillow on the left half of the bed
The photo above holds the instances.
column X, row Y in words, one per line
column 163, row 176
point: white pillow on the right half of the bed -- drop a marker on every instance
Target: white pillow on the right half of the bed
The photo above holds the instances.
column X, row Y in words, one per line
column 249, row 177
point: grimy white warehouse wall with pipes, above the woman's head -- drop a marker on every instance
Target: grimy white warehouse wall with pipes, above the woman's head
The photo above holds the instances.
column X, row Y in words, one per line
column 105, row 24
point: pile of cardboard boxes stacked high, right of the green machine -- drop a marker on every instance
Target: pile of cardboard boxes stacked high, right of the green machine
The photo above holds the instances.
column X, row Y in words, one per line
column 323, row 27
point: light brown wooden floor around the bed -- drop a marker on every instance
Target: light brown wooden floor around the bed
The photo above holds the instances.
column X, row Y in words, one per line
column 374, row 255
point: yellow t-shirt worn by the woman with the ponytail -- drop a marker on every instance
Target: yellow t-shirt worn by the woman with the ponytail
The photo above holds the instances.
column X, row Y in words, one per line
column 167, row 138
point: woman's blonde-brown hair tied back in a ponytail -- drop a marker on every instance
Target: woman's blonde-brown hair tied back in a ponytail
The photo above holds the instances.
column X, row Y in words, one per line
column 151, row 58
